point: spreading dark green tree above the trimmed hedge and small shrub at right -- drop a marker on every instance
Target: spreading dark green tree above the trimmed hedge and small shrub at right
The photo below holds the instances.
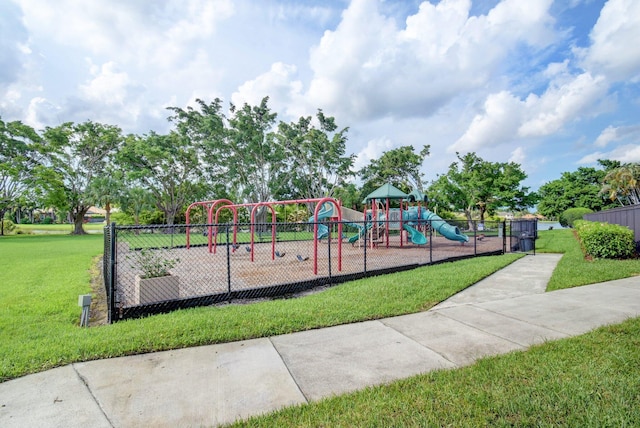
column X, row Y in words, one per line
column 577, row 189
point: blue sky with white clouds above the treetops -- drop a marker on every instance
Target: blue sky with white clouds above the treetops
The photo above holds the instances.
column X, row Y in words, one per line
column 551, row 85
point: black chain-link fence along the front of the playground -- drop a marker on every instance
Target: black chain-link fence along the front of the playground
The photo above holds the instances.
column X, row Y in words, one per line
column 216, row 263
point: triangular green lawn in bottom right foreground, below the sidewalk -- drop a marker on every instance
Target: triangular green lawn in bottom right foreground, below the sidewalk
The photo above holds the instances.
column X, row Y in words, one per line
column 587, row 381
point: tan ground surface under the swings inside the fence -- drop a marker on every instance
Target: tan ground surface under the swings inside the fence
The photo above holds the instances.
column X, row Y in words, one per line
column 202, row 273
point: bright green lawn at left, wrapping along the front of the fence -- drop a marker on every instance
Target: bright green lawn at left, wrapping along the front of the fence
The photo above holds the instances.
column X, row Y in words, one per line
column 43, row 275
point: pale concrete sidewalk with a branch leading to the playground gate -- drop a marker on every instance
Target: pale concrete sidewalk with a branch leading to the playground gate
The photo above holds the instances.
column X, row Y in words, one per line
column 211, row 385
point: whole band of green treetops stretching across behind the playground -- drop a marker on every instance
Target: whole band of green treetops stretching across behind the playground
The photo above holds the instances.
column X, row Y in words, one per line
column 247, row 155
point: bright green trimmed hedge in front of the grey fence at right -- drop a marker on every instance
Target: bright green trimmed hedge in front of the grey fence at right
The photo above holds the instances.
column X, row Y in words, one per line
column 604, row 240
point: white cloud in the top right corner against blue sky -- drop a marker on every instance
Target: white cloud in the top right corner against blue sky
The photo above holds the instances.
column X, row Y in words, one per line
column 615, row 50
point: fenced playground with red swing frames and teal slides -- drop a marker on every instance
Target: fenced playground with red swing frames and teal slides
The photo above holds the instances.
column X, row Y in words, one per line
column 214, row 261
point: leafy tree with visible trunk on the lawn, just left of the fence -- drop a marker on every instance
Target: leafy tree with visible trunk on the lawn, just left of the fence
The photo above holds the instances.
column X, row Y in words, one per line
column 76, row 155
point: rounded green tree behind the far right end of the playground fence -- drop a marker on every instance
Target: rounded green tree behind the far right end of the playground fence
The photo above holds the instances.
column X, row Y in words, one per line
column 475, row 184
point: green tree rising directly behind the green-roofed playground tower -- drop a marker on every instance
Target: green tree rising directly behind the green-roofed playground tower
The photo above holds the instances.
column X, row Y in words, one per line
column 400, row 167
